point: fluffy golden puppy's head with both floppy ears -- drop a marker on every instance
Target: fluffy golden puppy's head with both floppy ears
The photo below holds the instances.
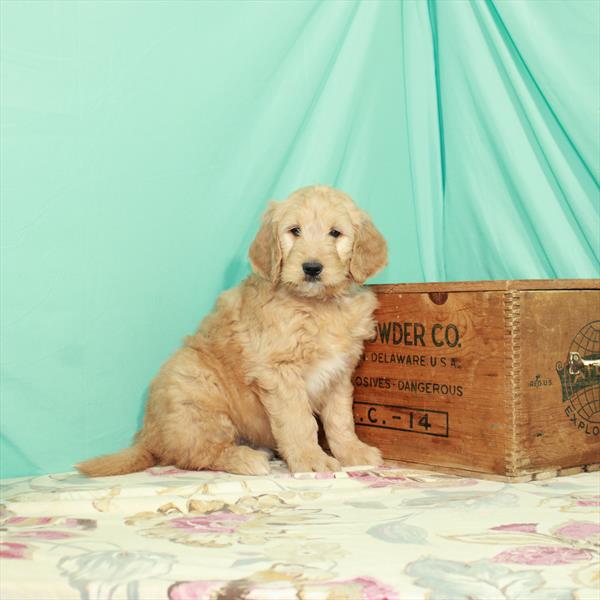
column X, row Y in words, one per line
column 317, row 242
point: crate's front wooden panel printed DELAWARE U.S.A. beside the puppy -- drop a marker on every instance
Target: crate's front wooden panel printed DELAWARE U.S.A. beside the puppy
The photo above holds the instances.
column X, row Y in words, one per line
column 430, row 388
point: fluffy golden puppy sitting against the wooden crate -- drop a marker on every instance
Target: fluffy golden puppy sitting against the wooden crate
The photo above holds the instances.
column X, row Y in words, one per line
column 277, row 349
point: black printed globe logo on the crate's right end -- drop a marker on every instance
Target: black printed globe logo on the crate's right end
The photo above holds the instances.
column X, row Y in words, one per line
column 580, row 379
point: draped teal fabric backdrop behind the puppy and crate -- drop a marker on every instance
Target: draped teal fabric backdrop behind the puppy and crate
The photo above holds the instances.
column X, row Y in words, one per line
column 141, row 140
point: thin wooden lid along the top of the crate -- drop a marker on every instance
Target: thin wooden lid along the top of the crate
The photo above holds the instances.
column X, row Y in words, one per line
column 501, row 285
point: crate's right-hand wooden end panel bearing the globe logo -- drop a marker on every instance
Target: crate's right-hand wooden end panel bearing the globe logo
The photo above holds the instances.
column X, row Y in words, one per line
column 560, row 425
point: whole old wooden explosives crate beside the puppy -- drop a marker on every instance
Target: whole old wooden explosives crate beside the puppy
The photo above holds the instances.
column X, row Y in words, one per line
column 496, row 378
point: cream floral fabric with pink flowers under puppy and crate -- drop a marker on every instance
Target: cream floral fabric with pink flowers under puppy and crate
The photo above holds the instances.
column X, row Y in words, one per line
column 362, row 534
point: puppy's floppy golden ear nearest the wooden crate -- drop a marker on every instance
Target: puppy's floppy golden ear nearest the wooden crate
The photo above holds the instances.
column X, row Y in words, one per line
column 369, row 253
